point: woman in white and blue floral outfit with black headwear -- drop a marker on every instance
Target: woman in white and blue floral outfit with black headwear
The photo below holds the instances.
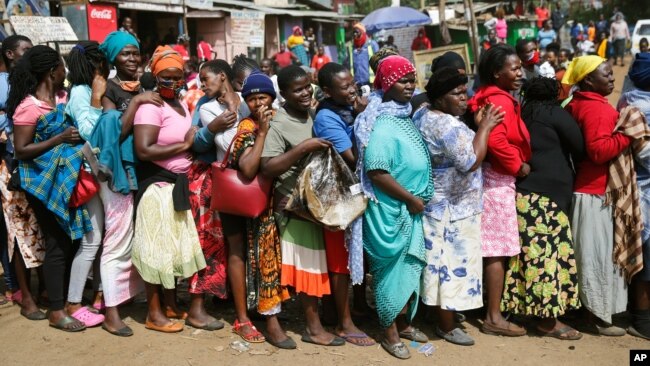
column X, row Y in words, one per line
column 452, row 219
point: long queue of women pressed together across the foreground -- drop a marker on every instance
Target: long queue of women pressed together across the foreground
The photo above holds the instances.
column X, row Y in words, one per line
column 539, row 206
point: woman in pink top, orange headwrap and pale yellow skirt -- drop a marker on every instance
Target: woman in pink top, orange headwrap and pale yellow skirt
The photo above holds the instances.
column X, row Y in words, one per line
column 166, row 244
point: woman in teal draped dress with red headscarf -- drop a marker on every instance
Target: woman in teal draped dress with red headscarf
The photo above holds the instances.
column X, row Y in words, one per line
column 392, row 234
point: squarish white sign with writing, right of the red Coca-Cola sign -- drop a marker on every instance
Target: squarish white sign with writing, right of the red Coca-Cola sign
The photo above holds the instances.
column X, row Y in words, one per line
column 247, row 30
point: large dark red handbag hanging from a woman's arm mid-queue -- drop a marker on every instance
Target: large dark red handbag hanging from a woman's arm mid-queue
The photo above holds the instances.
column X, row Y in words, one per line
column 235, row 194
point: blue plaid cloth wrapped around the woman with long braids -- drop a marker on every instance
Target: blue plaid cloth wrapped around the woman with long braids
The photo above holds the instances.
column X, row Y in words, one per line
column 52, row 176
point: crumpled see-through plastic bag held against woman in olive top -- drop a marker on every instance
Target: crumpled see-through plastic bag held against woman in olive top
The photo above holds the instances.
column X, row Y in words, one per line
column 327, row 192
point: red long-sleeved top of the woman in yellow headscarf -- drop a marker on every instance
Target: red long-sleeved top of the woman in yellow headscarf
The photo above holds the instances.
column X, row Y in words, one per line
column 597, row 120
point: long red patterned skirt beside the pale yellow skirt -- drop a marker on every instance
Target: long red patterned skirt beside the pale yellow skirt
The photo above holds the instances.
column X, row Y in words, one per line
column 212, row 279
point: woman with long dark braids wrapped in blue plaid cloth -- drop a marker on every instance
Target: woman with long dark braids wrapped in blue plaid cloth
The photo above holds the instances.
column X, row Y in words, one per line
column 45, row 140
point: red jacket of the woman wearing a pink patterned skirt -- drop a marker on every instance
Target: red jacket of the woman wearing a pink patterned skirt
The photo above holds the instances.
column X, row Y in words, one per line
column 509, row 142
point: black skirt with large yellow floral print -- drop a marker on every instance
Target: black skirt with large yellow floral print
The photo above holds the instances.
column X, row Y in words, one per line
column 542, row 280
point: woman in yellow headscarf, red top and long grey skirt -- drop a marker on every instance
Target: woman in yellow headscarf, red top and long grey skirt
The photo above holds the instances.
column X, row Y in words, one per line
column 602, row 288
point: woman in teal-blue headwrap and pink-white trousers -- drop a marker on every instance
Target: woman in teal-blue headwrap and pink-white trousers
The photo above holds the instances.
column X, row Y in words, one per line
column 124, row 95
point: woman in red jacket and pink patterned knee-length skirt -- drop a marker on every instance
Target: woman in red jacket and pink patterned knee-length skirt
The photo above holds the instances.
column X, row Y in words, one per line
column 508, row 151
